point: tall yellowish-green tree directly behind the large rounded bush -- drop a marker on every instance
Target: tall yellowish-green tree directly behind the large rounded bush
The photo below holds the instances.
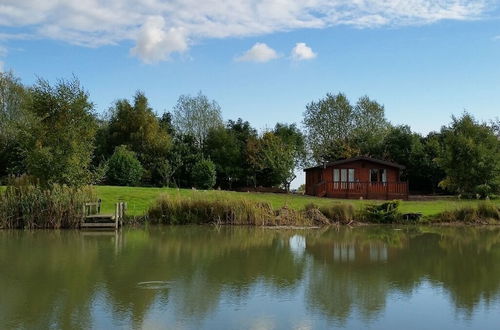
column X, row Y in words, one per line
column 136, row 126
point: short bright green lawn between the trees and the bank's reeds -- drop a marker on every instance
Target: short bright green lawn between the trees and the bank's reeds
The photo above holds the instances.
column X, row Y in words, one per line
column 139, row 199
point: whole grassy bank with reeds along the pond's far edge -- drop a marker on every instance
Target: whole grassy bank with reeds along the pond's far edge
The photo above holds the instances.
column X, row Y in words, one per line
column 60, row 207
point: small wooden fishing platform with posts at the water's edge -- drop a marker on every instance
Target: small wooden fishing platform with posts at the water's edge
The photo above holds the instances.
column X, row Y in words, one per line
column 93, row 218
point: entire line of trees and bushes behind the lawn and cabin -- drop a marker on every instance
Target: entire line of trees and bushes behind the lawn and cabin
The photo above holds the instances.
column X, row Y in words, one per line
column 53, row 133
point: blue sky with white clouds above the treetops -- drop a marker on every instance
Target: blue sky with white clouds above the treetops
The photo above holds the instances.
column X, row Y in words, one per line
column 264, row 60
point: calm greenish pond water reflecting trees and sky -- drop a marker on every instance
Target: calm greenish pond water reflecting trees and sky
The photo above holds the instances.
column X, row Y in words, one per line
column 251, row 278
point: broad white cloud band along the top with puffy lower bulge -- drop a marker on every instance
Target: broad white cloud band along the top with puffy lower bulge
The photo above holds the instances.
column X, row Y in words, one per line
column 160, row 27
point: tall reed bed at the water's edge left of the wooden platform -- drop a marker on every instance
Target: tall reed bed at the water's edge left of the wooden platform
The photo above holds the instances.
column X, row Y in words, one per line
column 28, row 205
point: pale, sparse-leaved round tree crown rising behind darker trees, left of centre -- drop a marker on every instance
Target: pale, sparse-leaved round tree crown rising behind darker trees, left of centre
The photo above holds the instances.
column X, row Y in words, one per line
column 196, row 115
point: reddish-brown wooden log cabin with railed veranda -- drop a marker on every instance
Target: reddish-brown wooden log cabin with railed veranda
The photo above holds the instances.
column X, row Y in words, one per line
column 359, row 178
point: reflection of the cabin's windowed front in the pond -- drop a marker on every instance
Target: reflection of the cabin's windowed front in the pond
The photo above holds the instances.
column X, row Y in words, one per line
column 347, row 252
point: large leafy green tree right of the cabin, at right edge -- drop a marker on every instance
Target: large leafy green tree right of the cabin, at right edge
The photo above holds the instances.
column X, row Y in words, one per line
column 470, row 157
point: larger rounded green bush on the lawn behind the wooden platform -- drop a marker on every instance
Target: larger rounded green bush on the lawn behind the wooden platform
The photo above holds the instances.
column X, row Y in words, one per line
column 124, row 169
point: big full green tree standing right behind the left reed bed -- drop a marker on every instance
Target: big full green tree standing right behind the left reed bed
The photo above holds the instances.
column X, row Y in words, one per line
column 61, row 140
